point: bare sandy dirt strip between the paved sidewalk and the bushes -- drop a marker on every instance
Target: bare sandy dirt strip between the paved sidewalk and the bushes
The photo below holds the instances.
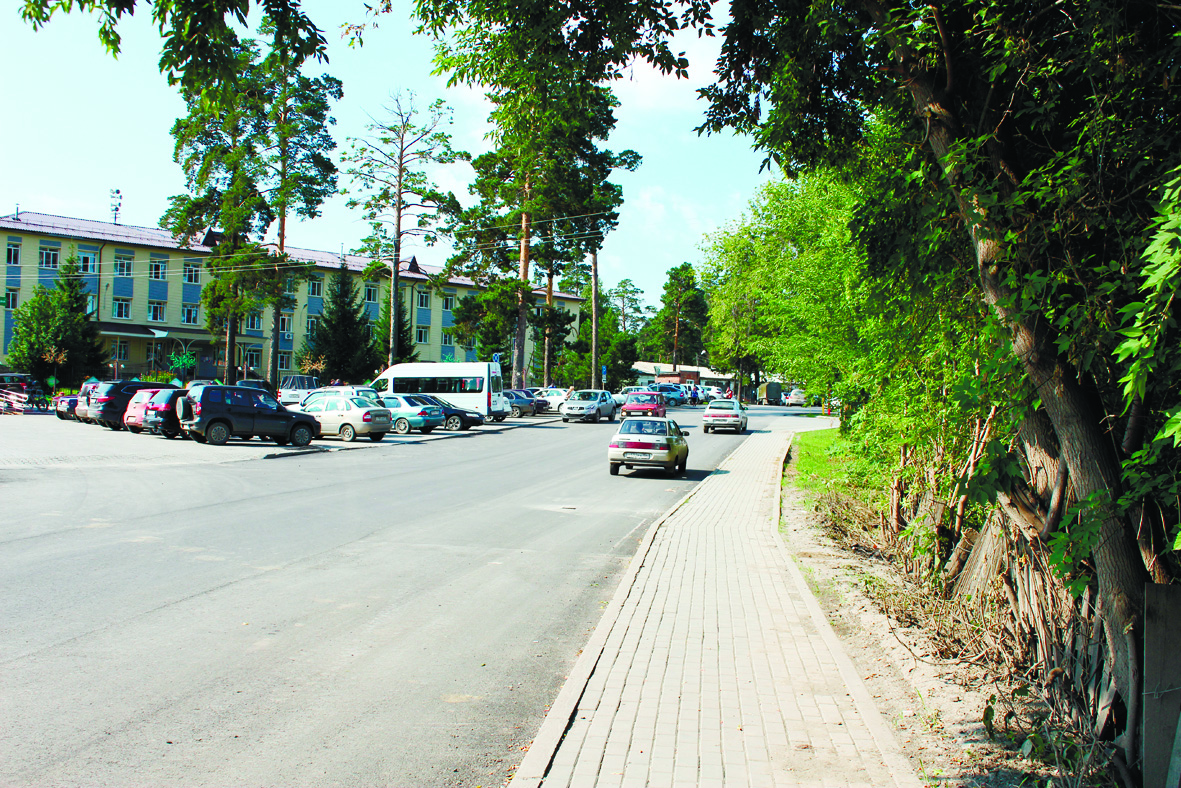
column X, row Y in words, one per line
column 936, row 708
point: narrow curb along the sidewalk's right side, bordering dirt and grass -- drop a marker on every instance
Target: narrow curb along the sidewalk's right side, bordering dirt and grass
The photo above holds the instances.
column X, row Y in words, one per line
column 901, row 766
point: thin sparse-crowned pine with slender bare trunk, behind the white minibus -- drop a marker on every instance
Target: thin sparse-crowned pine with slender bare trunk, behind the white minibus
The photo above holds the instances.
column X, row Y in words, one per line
column 394, row 190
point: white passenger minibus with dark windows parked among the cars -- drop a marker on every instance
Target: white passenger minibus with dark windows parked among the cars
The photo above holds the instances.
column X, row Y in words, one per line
column 472, row 386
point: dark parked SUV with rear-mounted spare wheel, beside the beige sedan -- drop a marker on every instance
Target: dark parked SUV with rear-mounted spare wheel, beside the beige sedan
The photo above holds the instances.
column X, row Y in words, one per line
column 216, row 414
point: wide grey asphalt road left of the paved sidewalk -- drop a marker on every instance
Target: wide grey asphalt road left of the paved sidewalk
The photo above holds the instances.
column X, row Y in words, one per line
column 400, row 615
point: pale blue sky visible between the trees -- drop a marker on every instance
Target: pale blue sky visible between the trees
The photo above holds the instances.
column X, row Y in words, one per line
column 80, row 123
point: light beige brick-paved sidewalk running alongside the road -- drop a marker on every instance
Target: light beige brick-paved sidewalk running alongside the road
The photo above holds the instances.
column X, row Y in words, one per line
column 714, row 666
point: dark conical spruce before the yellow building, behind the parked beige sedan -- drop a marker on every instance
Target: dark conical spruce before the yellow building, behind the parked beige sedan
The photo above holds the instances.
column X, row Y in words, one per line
column 344, row 338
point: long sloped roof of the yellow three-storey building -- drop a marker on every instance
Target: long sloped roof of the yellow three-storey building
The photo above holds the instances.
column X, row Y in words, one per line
column 88, row 230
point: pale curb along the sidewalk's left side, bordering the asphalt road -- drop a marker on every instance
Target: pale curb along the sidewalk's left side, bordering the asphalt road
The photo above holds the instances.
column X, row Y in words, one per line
column 562, row 713
